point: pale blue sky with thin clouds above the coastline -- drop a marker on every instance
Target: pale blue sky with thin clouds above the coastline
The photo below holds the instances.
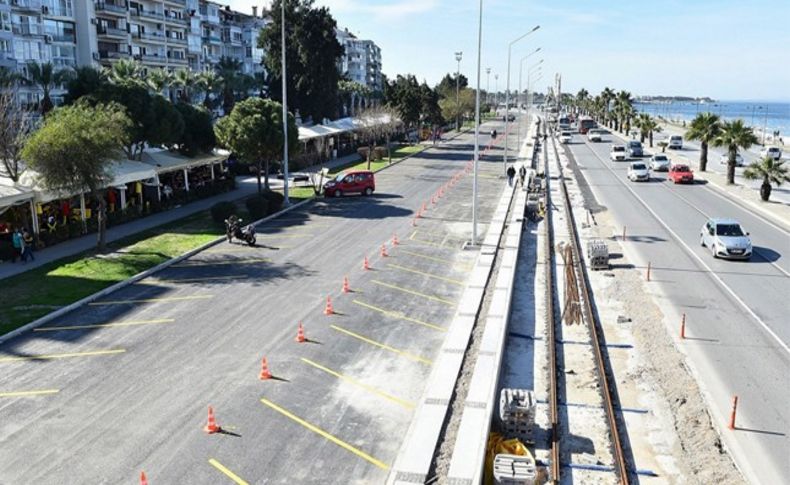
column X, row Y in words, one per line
column 726, row 50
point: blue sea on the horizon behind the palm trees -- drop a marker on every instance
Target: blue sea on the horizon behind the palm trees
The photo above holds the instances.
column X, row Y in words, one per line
column 770, row 115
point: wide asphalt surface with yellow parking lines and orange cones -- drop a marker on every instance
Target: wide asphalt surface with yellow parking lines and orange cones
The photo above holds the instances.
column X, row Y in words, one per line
column 123, row 385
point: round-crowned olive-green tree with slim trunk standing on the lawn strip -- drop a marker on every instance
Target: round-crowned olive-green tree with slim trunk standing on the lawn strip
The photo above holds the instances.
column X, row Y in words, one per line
column 74, row 150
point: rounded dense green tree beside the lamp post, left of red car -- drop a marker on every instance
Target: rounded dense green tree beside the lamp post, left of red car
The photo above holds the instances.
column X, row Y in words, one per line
column 254, row 132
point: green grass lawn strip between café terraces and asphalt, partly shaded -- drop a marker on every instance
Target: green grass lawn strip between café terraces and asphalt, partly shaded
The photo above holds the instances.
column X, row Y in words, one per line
column 33, row 294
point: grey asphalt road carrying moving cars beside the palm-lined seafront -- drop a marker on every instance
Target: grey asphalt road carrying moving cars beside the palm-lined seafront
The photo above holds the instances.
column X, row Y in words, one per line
column 736, row 312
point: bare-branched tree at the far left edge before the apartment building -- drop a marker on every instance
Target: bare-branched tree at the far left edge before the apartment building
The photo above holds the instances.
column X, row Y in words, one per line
column 15, row 126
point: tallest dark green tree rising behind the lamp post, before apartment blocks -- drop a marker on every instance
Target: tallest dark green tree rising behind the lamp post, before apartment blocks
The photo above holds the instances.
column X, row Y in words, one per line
column 312, row 56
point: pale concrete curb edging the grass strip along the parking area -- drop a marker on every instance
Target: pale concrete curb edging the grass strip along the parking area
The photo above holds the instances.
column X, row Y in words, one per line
column 134, row 279
